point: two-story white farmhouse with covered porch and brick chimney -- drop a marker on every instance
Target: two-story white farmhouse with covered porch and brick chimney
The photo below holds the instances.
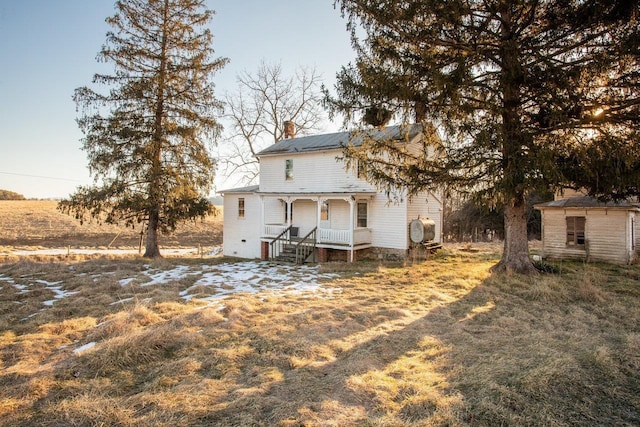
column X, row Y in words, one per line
column 309, row 203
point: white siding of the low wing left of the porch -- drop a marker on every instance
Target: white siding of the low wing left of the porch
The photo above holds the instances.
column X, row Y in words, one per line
column 241, row 236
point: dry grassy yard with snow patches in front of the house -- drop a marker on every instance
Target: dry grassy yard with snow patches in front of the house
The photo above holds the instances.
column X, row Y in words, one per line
column 435, row 343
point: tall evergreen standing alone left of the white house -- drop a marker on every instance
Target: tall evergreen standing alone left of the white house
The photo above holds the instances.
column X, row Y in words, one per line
column 145, row 137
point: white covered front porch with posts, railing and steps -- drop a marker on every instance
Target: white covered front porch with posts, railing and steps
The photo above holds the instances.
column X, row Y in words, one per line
column 329, row 220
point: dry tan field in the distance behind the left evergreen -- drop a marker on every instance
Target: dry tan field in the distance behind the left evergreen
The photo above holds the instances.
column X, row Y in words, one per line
column 38, row 224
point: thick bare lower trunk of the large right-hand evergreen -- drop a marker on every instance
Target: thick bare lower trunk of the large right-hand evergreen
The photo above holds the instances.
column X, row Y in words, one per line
column 515, row 256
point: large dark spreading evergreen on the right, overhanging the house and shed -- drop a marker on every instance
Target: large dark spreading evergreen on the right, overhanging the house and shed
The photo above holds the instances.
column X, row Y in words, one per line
column 530, row 95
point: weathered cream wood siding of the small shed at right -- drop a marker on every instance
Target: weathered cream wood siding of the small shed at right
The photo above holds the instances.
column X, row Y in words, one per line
column 606, row 234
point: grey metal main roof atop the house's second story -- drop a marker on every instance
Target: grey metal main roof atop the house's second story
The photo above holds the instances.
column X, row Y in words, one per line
column 332, row 141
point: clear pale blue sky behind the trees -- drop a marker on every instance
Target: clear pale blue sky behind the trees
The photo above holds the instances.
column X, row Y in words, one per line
column 48, row 48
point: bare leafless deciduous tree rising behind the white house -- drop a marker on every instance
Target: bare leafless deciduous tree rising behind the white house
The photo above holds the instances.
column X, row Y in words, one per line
column 258, row 110
